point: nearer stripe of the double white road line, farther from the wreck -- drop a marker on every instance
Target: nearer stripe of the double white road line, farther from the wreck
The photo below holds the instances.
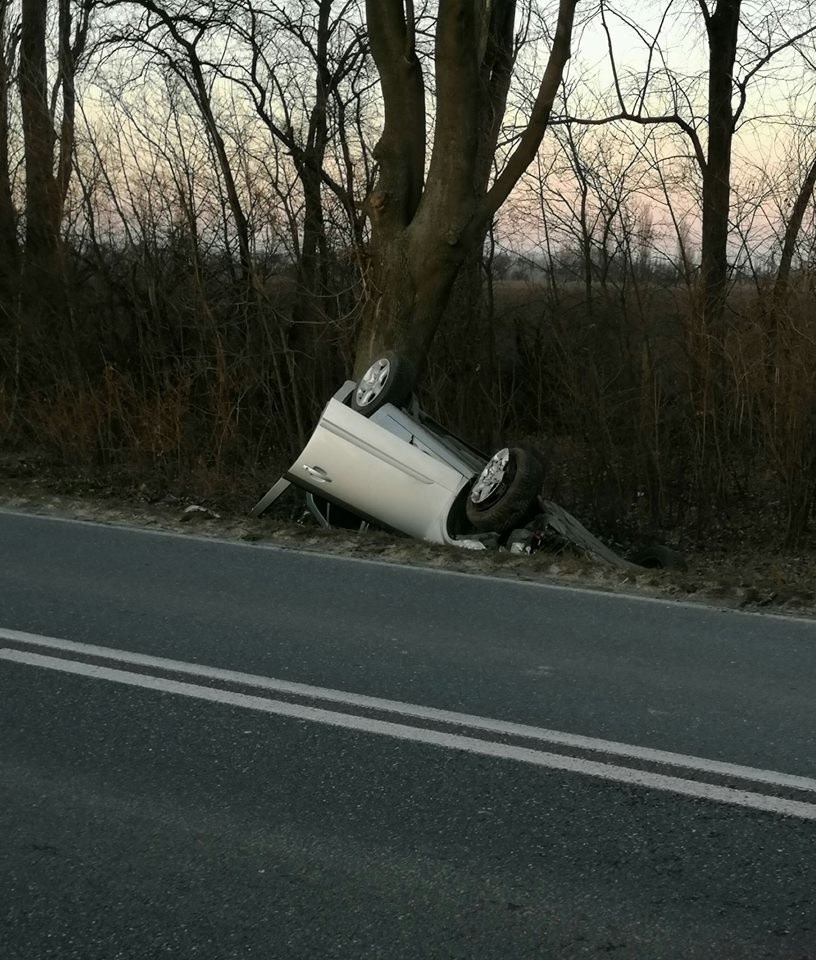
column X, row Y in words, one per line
column 399, row 731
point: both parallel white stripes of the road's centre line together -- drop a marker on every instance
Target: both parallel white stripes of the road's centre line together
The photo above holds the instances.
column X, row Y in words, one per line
column 506, row 736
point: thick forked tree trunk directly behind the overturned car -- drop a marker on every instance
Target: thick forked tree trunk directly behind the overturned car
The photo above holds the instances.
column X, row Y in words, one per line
column 427, row 218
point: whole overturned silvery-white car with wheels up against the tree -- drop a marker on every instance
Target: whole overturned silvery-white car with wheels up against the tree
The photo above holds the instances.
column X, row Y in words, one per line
column 375, row 455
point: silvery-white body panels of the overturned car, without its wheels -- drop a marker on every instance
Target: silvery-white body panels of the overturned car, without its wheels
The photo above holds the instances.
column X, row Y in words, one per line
column 398, row 470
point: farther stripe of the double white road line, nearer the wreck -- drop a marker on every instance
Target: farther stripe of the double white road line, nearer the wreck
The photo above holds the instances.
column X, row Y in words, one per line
column 502, row 727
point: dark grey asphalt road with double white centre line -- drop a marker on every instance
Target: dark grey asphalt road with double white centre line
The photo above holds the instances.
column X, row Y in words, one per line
column 180, row 792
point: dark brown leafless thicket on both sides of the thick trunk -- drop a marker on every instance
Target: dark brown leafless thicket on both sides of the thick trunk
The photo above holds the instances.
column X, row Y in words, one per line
column 184, row 374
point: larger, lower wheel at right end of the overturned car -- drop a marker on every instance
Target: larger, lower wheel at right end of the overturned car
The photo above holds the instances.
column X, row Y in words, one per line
column 503, row 493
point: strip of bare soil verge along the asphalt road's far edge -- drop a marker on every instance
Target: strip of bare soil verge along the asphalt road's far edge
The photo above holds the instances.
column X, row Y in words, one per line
column 726, row 572
